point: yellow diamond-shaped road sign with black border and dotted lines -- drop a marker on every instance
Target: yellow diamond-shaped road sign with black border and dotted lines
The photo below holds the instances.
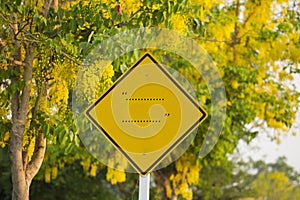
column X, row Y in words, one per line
column 145, row 114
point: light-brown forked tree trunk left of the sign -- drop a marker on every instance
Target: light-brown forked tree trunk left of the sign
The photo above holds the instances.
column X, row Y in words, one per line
column 22, row 171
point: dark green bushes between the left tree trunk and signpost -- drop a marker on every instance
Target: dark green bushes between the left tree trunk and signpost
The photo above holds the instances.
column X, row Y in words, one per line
column 73, row 184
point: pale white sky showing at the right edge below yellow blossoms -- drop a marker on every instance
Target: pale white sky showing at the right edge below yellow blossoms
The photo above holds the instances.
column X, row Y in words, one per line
column 262, row 148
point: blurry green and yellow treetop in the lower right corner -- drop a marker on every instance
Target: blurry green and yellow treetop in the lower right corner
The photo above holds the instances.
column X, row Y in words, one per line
column 249, row 180
